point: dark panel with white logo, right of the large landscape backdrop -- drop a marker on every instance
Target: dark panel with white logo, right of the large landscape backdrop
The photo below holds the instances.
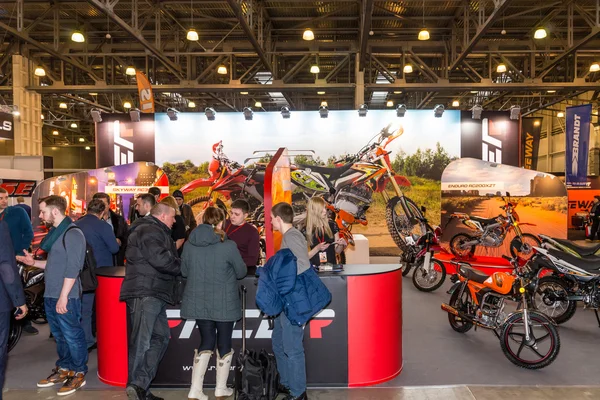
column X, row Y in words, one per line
column 493, row 138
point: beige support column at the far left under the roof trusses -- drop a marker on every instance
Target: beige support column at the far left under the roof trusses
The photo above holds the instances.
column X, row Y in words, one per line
column 28, row 125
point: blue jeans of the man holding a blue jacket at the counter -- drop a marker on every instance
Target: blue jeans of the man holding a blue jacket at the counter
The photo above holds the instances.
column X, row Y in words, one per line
column 289, row 353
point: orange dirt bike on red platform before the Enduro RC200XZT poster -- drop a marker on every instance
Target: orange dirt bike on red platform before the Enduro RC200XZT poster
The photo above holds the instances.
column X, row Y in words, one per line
column 491, row 232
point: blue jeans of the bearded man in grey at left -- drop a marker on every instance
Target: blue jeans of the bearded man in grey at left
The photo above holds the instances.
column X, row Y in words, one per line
column 69, row 335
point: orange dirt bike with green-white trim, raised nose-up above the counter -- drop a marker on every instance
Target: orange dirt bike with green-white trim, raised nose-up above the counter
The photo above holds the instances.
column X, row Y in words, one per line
column 350, row 187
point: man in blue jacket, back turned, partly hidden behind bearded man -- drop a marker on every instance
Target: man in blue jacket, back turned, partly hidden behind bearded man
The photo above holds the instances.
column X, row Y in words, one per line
column 101, row 238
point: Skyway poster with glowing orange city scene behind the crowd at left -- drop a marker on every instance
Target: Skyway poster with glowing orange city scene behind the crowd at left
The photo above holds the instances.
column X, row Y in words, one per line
column 121, row 183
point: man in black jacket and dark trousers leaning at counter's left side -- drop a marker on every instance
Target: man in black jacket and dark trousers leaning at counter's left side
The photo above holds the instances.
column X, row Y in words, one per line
column 149, row 285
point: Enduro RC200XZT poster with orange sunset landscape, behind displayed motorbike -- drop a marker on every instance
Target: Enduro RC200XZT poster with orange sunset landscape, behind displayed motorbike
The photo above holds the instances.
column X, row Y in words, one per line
column 539, row 203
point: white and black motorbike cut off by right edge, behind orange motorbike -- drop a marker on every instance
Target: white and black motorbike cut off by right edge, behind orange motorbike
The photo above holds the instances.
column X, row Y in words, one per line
column 563, row 280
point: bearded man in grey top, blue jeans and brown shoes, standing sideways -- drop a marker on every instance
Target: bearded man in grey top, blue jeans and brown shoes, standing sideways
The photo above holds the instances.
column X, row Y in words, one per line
column 66, row 247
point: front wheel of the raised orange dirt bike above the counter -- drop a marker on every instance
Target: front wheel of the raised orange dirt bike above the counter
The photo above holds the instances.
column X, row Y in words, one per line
column 399, row 224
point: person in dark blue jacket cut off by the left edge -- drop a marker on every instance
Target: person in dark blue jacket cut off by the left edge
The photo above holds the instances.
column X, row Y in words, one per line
column 11, row 295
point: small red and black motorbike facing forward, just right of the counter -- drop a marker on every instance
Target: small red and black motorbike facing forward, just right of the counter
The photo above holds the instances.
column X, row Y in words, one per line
column 429, row 273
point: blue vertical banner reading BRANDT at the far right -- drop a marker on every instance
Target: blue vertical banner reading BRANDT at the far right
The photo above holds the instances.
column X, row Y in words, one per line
column 578, row 138
